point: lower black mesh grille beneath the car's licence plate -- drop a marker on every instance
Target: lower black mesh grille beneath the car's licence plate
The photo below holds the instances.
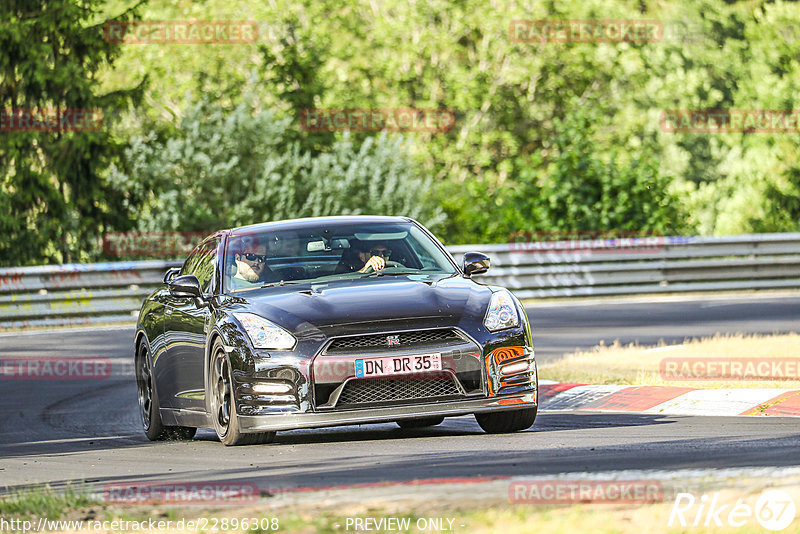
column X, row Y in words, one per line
column 375, row 390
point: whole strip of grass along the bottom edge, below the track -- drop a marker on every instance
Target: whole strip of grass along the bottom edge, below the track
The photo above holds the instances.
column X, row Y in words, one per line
column 329, row 514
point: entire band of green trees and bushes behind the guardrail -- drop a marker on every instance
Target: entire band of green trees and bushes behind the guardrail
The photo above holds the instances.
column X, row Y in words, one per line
column 548, row 135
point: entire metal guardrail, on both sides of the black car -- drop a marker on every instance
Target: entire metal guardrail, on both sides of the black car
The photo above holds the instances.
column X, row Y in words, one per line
column 113, row 292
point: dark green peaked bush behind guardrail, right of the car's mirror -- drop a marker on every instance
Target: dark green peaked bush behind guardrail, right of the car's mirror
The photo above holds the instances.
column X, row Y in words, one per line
column 573, row 189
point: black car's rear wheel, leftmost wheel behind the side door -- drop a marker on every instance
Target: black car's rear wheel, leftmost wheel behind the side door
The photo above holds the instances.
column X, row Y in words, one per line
column 153, row 426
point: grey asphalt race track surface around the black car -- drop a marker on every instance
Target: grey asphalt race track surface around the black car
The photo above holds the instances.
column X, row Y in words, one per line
column 60, row 431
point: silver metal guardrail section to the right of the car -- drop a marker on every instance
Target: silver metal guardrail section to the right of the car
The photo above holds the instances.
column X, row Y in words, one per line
column 644, row 266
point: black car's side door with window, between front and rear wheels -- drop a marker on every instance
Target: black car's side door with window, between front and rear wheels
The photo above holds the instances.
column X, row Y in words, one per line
column 185, row 326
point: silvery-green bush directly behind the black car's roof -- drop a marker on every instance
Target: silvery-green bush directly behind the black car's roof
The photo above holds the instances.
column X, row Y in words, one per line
column 227, row 168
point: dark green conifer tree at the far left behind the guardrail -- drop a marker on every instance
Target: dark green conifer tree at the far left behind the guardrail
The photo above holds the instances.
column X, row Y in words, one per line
column 55, row 200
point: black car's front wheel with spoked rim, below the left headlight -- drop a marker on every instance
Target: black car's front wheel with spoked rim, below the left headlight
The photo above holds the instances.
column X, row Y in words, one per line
column 223, row 403
